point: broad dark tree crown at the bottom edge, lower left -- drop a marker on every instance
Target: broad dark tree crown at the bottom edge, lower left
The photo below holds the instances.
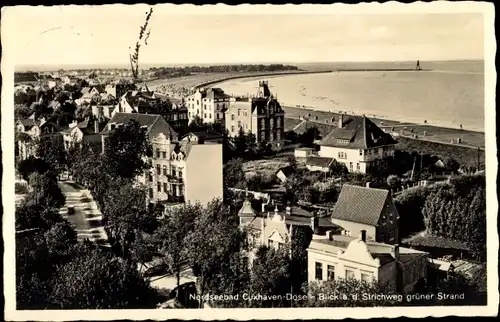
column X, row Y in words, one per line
column 97, row 280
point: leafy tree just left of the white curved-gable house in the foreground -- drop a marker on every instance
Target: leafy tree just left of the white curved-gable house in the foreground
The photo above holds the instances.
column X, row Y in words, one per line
column 270, row 277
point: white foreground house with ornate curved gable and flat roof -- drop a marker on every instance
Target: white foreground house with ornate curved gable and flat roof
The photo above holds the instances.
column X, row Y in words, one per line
column 334, row 257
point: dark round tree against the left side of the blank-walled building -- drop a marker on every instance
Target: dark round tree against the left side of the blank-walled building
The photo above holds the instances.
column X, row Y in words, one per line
column 125, row 151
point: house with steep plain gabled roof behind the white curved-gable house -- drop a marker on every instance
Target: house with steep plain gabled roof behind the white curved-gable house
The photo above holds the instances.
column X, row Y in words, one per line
column 367, row 209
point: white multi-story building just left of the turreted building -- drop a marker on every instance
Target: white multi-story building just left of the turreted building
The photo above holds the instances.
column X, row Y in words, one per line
column 209, row 104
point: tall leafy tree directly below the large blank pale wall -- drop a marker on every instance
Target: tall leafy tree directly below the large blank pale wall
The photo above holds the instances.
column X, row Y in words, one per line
column 215, row 238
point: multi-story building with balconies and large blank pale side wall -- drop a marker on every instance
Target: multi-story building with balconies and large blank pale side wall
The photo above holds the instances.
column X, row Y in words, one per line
column 181, row 171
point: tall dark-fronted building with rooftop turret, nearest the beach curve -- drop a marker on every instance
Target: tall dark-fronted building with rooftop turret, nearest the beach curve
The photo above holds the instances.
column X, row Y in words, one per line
column 261, row 115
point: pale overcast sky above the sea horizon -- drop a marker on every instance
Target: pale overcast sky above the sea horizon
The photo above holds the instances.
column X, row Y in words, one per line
column 103, row 35
